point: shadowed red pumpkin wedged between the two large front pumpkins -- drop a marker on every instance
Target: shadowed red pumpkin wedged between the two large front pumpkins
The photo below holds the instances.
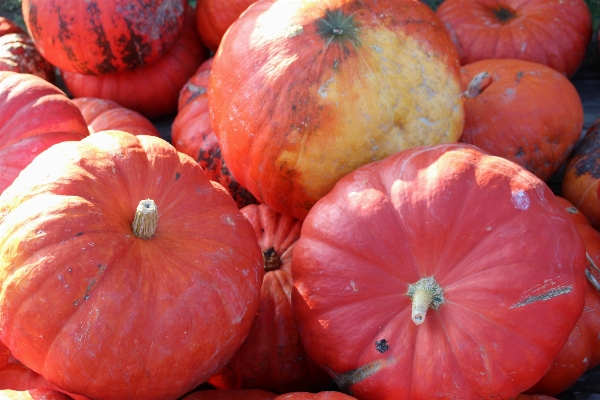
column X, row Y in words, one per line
column 272, row 357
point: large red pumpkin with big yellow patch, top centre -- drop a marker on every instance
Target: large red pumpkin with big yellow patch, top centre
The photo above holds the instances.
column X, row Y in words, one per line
column 321, row 88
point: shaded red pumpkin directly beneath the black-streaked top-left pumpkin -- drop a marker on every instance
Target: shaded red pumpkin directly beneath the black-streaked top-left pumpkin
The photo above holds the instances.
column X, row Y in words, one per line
column 152, row 90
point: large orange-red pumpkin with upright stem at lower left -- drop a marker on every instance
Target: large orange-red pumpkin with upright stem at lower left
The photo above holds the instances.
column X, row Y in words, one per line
column 173, row 307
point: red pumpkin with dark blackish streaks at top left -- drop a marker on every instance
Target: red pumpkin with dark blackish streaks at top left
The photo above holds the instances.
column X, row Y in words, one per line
column 103, row 36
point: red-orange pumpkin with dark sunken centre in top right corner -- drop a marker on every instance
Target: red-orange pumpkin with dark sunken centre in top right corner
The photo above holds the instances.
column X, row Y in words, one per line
column 555, row 33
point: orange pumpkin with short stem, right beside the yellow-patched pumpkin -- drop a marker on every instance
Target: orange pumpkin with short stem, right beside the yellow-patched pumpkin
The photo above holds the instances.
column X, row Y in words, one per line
column 523, row 111
